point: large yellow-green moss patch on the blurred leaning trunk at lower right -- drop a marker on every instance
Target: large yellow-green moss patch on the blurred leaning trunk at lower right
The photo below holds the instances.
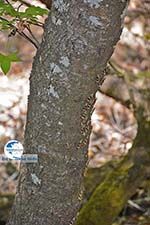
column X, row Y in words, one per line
column 107, row 200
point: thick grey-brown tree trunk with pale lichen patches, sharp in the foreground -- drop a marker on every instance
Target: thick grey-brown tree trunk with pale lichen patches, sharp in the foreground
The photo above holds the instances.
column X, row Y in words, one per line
column 79, row 38
